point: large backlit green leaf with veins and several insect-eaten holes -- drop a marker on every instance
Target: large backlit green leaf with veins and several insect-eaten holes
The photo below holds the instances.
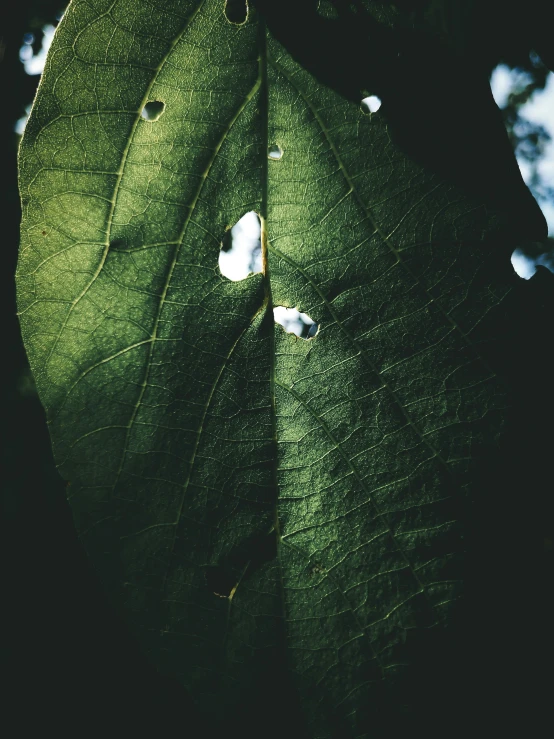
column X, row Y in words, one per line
column 257, row 504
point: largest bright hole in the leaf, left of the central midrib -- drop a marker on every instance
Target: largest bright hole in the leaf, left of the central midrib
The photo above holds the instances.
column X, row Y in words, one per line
column 241, row 248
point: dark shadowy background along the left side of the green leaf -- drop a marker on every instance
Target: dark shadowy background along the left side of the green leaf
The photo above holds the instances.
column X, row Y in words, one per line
column 70, row 664
